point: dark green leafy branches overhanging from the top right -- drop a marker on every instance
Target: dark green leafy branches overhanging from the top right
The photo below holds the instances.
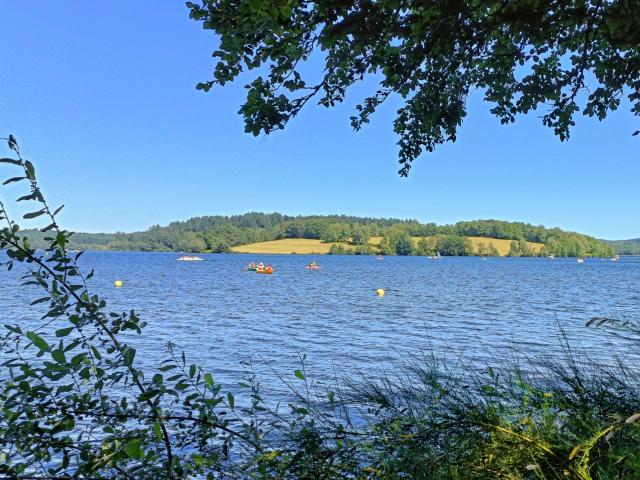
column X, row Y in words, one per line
column 558, row 57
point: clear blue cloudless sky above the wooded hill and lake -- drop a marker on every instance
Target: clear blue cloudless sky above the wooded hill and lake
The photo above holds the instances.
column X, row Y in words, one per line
column 101, row 96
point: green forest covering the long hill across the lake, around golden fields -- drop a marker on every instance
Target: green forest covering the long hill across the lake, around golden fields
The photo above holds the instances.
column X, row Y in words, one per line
column 220, row 233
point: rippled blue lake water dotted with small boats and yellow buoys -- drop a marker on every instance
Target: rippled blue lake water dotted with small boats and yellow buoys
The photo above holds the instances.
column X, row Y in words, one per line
column 464, row 307
